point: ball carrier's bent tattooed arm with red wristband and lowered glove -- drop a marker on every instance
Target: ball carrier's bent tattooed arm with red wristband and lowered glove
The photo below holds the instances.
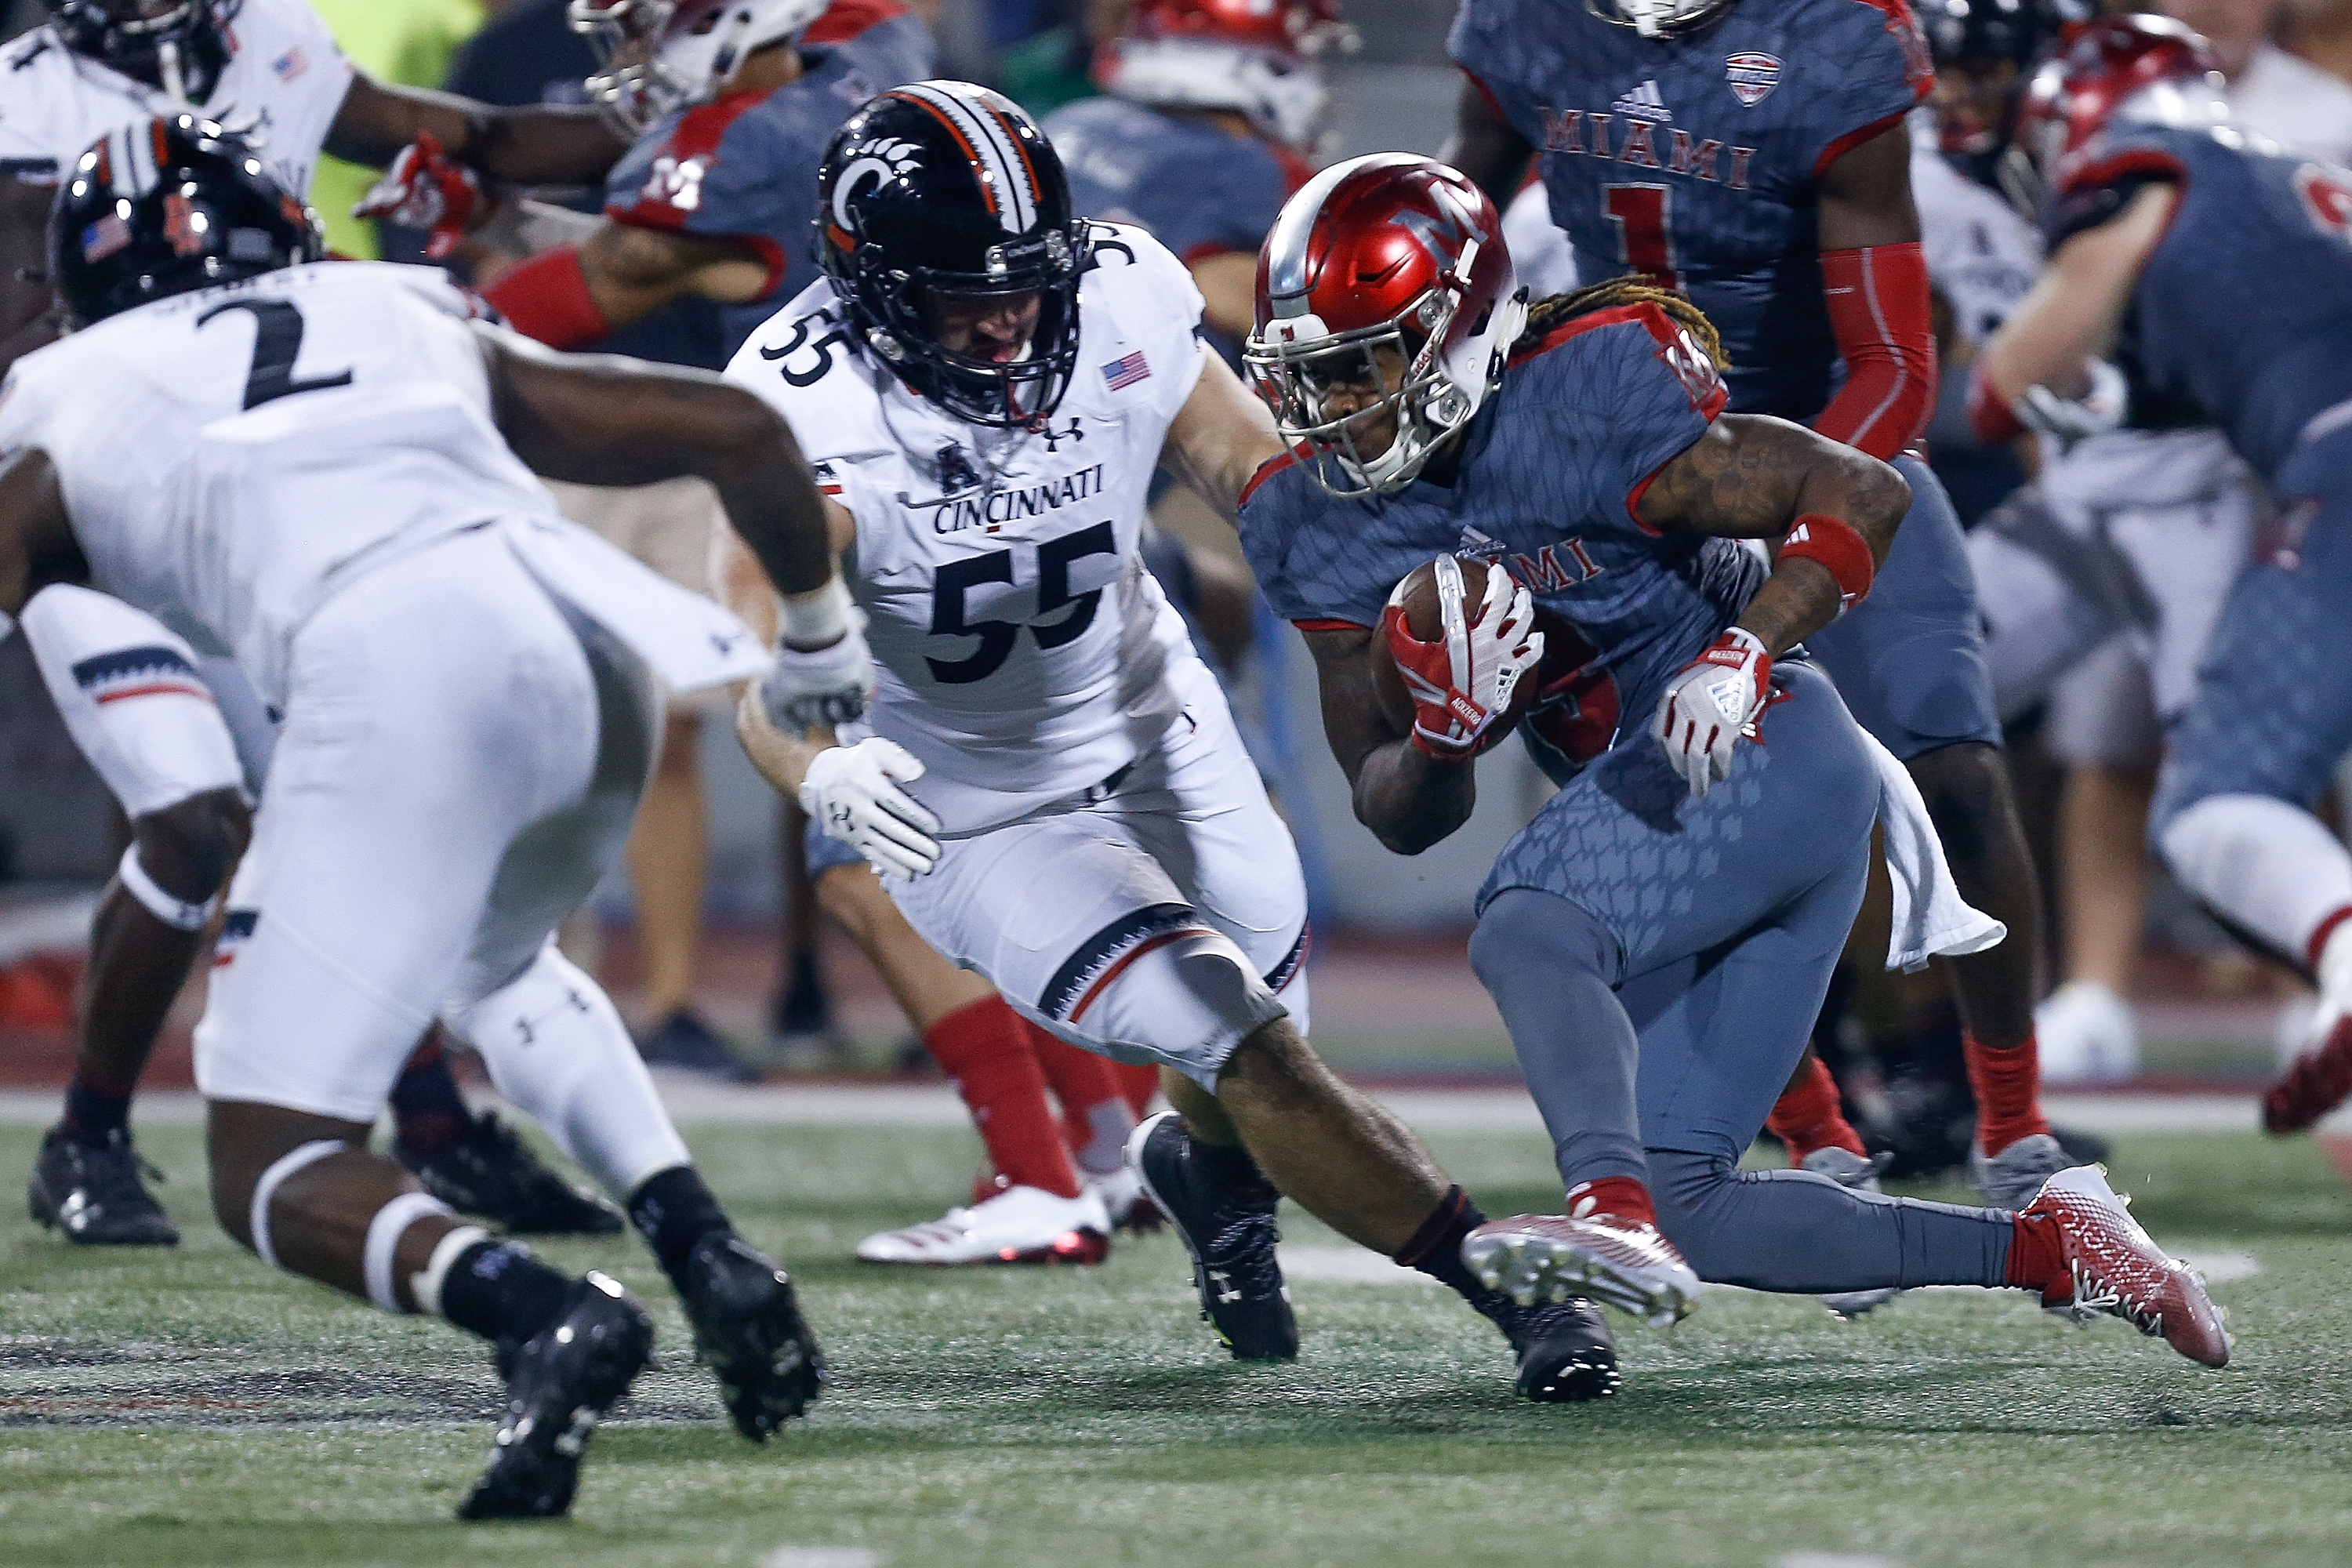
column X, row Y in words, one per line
column 1751, row 478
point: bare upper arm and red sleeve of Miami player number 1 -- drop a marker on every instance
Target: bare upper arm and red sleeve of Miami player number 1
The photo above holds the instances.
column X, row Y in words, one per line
column 1876, row 281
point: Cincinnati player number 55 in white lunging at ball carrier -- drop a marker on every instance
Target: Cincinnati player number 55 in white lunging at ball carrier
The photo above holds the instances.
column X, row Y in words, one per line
column 1050, row 775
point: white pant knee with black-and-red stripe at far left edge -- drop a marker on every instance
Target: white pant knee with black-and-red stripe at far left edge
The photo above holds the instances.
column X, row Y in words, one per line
column 133, row 699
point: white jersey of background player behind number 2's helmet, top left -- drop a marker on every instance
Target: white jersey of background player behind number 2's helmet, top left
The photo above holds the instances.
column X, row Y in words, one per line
column 281, row 93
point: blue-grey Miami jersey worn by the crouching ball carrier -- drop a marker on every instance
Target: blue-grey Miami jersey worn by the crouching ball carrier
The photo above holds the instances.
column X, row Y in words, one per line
column 1551, row 471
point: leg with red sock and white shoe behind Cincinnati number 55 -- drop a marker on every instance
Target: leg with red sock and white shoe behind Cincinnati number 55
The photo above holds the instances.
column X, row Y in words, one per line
column 1036, row 1209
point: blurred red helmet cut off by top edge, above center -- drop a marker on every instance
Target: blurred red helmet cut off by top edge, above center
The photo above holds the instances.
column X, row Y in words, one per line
column 1248, row 55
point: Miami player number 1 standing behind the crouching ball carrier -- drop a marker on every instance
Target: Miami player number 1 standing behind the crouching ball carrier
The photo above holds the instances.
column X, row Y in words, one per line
column 1753, row 156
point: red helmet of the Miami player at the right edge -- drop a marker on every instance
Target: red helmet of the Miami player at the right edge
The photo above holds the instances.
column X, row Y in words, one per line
column 2118, row 69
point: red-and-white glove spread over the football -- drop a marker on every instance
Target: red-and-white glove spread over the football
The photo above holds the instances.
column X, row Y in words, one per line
column 1464, row 683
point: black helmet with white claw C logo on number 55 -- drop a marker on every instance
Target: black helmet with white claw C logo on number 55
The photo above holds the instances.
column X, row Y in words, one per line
column 937, row 203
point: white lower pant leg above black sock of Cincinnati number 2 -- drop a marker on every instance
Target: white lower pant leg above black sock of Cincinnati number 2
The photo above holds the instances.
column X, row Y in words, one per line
column 561, row 1057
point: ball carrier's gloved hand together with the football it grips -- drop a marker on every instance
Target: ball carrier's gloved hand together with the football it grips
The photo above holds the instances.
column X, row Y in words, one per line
column 1462, row 655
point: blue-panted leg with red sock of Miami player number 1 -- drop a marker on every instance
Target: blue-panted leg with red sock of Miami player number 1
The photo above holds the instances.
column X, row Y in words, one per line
column 1911, row 666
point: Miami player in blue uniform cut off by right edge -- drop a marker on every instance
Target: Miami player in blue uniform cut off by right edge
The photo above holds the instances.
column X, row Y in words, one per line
column 2156, row 196
